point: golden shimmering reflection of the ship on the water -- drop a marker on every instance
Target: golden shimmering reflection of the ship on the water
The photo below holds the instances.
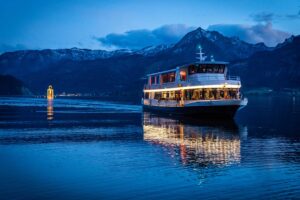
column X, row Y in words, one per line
column 194, row 142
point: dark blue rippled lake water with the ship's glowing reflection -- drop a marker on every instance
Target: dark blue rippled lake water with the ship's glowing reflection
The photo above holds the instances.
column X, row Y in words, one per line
column 88, row 149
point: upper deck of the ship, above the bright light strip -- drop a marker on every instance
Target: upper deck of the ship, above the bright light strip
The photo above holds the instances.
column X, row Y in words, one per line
column 205, row 73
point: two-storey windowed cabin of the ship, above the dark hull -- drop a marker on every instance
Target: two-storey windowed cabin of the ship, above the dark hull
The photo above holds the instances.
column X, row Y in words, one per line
column 192, row 82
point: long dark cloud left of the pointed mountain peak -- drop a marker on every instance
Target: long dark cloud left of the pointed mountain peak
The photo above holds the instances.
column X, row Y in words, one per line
column 137, row 39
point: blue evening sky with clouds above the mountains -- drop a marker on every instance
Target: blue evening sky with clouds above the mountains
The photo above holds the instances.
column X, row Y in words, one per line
column 134, row 24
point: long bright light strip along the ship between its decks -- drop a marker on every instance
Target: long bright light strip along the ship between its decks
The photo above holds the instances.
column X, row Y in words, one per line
column 193, row 87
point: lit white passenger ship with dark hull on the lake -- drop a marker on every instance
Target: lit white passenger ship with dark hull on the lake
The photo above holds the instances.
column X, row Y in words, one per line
column 201, row 89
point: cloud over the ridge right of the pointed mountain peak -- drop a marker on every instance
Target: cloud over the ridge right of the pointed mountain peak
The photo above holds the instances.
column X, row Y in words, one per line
column 253, row 34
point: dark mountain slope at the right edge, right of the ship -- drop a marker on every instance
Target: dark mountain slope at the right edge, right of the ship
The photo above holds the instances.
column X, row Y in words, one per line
column 275, row 69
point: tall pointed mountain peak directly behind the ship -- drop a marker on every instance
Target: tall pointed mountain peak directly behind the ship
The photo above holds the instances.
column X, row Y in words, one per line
column 213, row 43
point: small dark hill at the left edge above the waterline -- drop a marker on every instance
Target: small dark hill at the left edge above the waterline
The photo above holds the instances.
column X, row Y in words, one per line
column 9, row 85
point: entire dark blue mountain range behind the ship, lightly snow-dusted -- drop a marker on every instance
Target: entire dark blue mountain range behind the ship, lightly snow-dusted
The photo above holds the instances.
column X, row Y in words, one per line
column 121, row 72
